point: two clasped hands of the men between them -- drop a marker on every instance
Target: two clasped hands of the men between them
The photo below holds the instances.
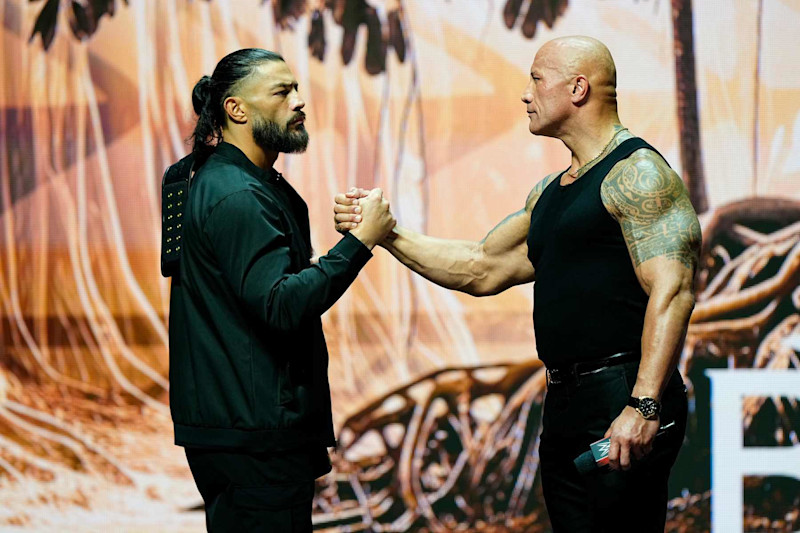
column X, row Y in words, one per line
column 365, row 214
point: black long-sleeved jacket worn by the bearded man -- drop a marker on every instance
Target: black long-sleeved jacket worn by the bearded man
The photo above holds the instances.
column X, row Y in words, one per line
column 248, row 361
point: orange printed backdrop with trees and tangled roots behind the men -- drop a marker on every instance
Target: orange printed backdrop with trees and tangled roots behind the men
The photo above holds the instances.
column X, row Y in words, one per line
column 437, row 395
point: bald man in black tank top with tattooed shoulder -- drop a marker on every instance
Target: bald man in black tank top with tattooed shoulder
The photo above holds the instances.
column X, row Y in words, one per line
column 612, row 244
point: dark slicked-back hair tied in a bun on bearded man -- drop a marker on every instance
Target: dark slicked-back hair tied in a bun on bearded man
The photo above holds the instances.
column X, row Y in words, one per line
column 210, row 92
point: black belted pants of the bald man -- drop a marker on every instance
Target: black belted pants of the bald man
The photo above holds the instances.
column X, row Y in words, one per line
column 577, row 414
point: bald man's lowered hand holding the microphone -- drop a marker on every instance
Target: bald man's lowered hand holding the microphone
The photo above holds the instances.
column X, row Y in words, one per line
column 631, row 435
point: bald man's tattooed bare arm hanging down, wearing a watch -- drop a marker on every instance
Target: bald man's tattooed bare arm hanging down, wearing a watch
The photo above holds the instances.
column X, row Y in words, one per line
column 661, row 230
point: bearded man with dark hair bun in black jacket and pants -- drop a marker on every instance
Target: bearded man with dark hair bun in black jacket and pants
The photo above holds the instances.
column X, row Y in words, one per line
column 249, row 390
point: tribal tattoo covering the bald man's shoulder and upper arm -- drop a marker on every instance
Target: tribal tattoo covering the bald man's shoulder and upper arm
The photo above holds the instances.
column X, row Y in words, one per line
column 652, row 206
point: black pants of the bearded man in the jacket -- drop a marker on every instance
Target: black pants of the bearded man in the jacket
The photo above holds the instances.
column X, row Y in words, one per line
column 257, row 492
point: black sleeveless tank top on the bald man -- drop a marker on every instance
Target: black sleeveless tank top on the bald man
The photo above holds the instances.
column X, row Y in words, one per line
column 587, row 301
